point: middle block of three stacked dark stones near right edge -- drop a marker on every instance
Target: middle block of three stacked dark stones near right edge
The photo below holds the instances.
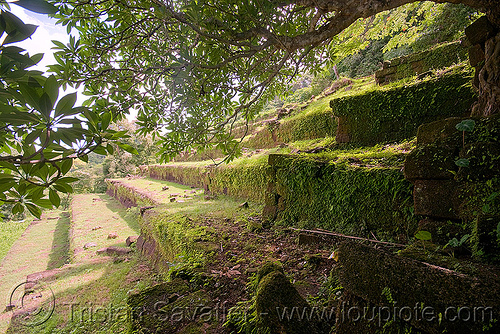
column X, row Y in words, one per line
column 431, row 162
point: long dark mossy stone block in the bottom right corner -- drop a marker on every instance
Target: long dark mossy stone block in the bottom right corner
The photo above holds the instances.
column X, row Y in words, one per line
column 427, row 296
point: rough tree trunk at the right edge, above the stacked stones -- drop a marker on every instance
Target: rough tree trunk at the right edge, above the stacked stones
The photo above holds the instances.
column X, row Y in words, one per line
column 489, row 80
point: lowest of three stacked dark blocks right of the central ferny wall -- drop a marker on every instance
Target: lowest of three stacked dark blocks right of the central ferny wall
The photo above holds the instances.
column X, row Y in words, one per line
column 436, row 198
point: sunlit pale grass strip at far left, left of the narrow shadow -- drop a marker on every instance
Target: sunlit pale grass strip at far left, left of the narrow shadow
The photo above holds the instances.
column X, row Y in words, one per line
column 34, row 251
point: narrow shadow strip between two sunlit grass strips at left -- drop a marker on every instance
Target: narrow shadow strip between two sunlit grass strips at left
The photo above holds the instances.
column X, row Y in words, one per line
column 59, row 254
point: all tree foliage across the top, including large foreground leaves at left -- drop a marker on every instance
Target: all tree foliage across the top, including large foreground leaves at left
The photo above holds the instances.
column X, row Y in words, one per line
column 190, row 69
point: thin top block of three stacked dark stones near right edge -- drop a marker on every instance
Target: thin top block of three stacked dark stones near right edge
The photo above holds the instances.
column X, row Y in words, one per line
column 439, row 130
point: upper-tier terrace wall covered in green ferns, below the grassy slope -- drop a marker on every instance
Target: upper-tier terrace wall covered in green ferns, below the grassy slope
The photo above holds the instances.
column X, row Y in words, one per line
column 395, row 113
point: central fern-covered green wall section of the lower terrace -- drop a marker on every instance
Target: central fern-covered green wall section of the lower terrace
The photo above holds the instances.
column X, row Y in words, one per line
column 357, row 201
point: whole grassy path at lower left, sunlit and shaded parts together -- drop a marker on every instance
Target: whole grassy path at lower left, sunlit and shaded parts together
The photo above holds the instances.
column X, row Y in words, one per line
column 89, row 280
